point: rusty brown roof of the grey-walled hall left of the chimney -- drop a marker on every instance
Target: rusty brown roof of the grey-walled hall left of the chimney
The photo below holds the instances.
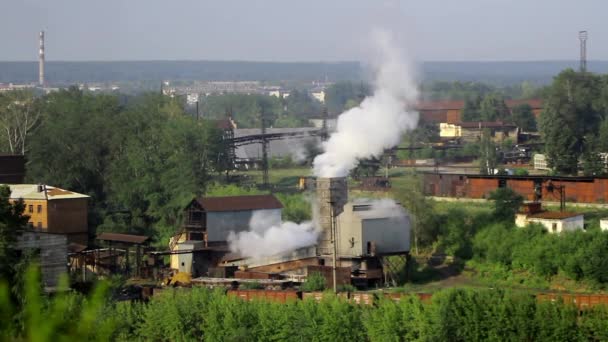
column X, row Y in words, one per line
column 239, row 203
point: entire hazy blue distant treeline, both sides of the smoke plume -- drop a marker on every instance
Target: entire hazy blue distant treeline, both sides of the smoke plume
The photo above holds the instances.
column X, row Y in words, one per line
column 498, row 73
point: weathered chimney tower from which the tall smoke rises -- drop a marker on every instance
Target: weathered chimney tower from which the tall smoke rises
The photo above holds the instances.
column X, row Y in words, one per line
column 332, row 195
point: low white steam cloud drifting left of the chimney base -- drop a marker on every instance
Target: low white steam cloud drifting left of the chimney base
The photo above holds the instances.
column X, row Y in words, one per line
column 268, row 236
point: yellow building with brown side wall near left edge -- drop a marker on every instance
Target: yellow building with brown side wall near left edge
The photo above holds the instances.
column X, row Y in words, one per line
column 54, row 210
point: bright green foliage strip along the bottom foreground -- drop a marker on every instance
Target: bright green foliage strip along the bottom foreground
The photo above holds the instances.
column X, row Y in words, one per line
column 209, row 315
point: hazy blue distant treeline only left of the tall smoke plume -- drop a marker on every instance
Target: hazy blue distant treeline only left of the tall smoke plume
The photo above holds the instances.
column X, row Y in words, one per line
column 75, row 72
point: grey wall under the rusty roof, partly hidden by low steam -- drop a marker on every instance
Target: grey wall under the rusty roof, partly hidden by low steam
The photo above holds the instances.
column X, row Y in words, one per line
column 220, row 224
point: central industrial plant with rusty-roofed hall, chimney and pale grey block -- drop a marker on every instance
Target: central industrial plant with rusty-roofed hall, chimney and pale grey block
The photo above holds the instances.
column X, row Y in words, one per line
column 355, row 238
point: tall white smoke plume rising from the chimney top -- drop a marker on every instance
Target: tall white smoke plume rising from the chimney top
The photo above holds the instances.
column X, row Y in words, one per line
column 379, row 121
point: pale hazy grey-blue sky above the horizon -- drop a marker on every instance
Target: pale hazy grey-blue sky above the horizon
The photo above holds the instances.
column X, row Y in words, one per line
column 300, row 30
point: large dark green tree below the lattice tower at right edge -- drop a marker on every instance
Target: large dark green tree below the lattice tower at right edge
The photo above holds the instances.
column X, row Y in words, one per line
column 571, row 113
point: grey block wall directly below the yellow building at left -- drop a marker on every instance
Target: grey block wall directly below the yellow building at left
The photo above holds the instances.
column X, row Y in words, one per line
column 53, row 249
